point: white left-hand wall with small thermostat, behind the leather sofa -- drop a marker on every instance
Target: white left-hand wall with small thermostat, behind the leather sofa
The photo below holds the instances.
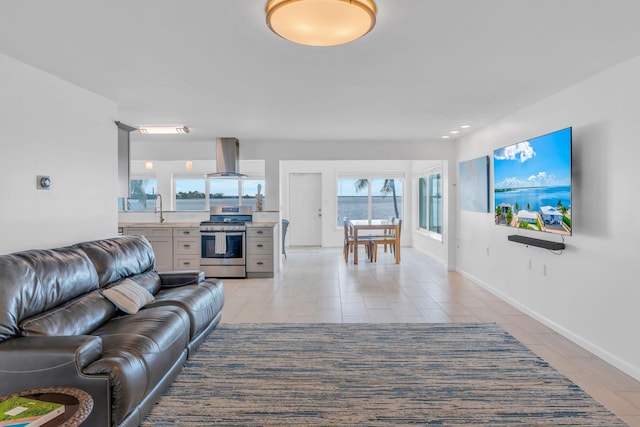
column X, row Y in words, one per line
column 51, row 127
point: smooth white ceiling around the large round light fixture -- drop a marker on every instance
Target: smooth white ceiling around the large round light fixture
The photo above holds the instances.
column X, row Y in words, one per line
column 427, row 67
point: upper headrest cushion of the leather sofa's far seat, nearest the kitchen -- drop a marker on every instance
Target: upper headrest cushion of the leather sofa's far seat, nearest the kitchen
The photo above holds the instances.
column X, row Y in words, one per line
column 119, row 257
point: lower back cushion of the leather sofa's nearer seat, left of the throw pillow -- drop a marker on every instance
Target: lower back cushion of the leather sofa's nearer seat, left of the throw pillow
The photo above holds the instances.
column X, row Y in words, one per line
column 78, row 317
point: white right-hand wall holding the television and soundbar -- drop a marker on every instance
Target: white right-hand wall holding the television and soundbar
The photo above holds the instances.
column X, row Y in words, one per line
column 590, row 292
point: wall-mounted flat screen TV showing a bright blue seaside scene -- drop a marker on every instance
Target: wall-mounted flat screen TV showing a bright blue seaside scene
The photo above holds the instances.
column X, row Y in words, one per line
column 532, row 183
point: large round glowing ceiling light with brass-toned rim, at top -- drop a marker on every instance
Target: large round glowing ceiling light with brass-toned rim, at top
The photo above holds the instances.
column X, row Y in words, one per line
column 321, row 22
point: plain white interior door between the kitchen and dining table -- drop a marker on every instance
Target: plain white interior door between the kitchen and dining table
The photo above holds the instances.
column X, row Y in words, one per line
column 305, row 209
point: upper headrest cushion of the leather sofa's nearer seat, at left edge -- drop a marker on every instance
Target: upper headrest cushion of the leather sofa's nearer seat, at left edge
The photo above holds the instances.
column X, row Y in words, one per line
column 35, row 281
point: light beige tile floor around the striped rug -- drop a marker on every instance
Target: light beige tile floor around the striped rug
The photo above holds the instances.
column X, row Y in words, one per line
column 317, row 286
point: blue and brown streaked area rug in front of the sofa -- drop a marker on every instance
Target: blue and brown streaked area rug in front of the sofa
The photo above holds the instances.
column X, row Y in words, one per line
column 371, row 374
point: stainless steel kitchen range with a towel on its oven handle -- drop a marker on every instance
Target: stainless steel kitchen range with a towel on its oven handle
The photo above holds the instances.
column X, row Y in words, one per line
column 223, row 238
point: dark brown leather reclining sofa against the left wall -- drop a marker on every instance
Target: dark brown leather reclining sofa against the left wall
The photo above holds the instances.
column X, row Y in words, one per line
column 57, row 328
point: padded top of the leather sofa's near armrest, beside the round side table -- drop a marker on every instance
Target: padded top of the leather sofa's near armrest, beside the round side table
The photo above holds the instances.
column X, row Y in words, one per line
column 35, row 354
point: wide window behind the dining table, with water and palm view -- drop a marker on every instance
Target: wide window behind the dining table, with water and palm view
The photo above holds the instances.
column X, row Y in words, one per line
column 369, row 198
